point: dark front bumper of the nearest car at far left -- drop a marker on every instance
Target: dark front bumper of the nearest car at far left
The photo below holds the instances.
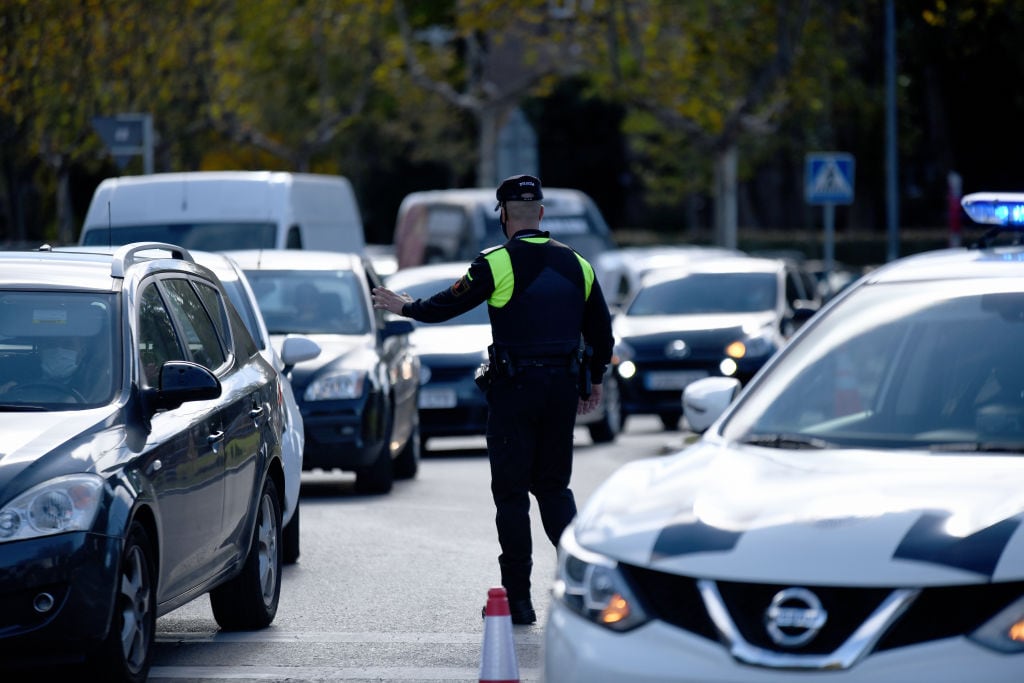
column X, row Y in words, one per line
column 76, row 572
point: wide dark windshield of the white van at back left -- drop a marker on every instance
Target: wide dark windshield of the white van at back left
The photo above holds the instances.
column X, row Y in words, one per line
column 205, row 237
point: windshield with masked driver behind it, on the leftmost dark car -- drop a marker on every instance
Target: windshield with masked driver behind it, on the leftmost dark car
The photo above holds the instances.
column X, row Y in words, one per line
column 59, row 351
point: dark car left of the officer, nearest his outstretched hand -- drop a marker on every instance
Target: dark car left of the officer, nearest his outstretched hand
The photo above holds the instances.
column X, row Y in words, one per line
column 359, row 397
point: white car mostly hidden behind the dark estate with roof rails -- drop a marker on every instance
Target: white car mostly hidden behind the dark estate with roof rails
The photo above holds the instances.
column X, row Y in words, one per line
column 294, row 350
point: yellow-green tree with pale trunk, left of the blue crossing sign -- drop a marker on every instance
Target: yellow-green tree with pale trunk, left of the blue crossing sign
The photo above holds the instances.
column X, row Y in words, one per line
column 700, row 79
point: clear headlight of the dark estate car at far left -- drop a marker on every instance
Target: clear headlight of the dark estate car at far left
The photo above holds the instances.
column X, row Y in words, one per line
column 66, row 504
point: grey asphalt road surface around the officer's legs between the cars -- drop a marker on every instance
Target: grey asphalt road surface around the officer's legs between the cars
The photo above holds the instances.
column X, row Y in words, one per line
column 390, row 588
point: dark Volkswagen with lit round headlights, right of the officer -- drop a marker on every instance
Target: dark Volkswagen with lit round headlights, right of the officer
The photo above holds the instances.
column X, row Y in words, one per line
column 719, row 317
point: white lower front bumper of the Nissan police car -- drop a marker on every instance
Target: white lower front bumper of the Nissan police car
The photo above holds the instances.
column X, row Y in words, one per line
column 577, row 651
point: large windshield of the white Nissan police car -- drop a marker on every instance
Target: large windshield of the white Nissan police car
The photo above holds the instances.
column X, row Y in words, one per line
column 901, row 366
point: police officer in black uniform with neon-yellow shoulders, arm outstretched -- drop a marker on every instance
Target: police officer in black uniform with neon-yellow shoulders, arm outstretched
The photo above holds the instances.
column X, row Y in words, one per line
column 545, row 307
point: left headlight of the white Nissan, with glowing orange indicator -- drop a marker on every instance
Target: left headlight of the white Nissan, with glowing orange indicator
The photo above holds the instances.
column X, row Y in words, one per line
column 592, row 586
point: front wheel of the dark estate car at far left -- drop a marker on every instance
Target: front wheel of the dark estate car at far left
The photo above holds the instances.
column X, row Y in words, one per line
column 127, row 653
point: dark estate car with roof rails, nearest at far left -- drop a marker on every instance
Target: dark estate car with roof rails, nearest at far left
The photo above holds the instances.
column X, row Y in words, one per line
column 141, row 465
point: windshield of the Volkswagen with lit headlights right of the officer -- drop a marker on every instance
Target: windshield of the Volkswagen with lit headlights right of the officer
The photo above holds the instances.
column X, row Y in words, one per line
column 708, row 293
